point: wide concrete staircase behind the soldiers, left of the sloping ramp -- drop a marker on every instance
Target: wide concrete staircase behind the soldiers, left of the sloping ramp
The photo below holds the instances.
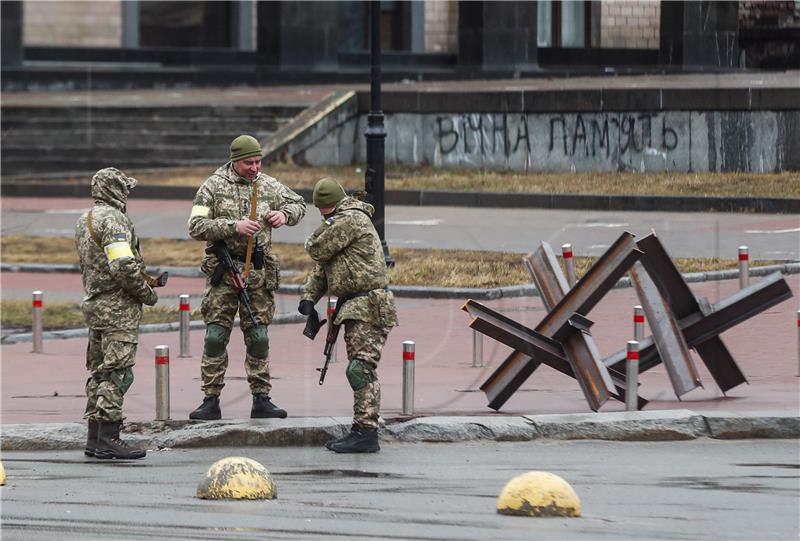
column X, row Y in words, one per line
column 41, row 142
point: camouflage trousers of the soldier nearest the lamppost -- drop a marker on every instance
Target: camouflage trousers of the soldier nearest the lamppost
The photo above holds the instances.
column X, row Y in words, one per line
column 365, row 342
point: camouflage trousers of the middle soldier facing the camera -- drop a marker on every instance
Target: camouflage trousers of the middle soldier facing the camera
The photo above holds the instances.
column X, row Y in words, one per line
column 220, row 305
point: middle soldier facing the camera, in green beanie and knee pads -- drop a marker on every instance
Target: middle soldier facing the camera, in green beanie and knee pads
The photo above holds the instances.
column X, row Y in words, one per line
column 222, row 210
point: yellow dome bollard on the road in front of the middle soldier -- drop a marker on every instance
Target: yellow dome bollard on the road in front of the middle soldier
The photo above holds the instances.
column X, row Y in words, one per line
column 237, row 478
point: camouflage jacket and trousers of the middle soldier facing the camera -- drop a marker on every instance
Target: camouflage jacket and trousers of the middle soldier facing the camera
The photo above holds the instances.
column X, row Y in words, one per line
column 222, row 199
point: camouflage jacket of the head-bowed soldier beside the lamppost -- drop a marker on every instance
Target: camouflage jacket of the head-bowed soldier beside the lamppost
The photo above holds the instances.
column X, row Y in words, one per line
column 349, row 259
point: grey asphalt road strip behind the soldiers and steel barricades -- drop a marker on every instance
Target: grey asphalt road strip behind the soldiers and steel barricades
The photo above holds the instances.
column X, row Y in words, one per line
column 769, row 236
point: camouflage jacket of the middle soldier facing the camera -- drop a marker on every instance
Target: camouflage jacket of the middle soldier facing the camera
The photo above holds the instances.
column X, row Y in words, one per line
column 225, row 197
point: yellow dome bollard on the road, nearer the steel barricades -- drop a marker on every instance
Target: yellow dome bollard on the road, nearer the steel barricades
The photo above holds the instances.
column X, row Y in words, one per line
column 538, row 494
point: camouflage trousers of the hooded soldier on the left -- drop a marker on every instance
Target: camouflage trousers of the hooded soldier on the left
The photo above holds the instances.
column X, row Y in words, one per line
column 110, row 356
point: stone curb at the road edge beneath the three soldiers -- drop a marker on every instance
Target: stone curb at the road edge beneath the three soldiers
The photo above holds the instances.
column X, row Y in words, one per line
column 663, row 425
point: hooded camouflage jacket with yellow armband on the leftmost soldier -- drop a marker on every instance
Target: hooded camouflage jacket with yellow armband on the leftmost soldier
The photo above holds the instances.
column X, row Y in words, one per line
column 110, row 260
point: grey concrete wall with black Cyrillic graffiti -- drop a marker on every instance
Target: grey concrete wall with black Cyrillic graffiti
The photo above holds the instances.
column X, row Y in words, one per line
column 758, row 141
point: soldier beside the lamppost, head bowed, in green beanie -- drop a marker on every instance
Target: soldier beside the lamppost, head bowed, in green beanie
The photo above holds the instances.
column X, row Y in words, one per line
column 350, row 265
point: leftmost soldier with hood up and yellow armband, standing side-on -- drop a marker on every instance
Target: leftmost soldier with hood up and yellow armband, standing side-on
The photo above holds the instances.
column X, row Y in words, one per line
column 112, row 271
